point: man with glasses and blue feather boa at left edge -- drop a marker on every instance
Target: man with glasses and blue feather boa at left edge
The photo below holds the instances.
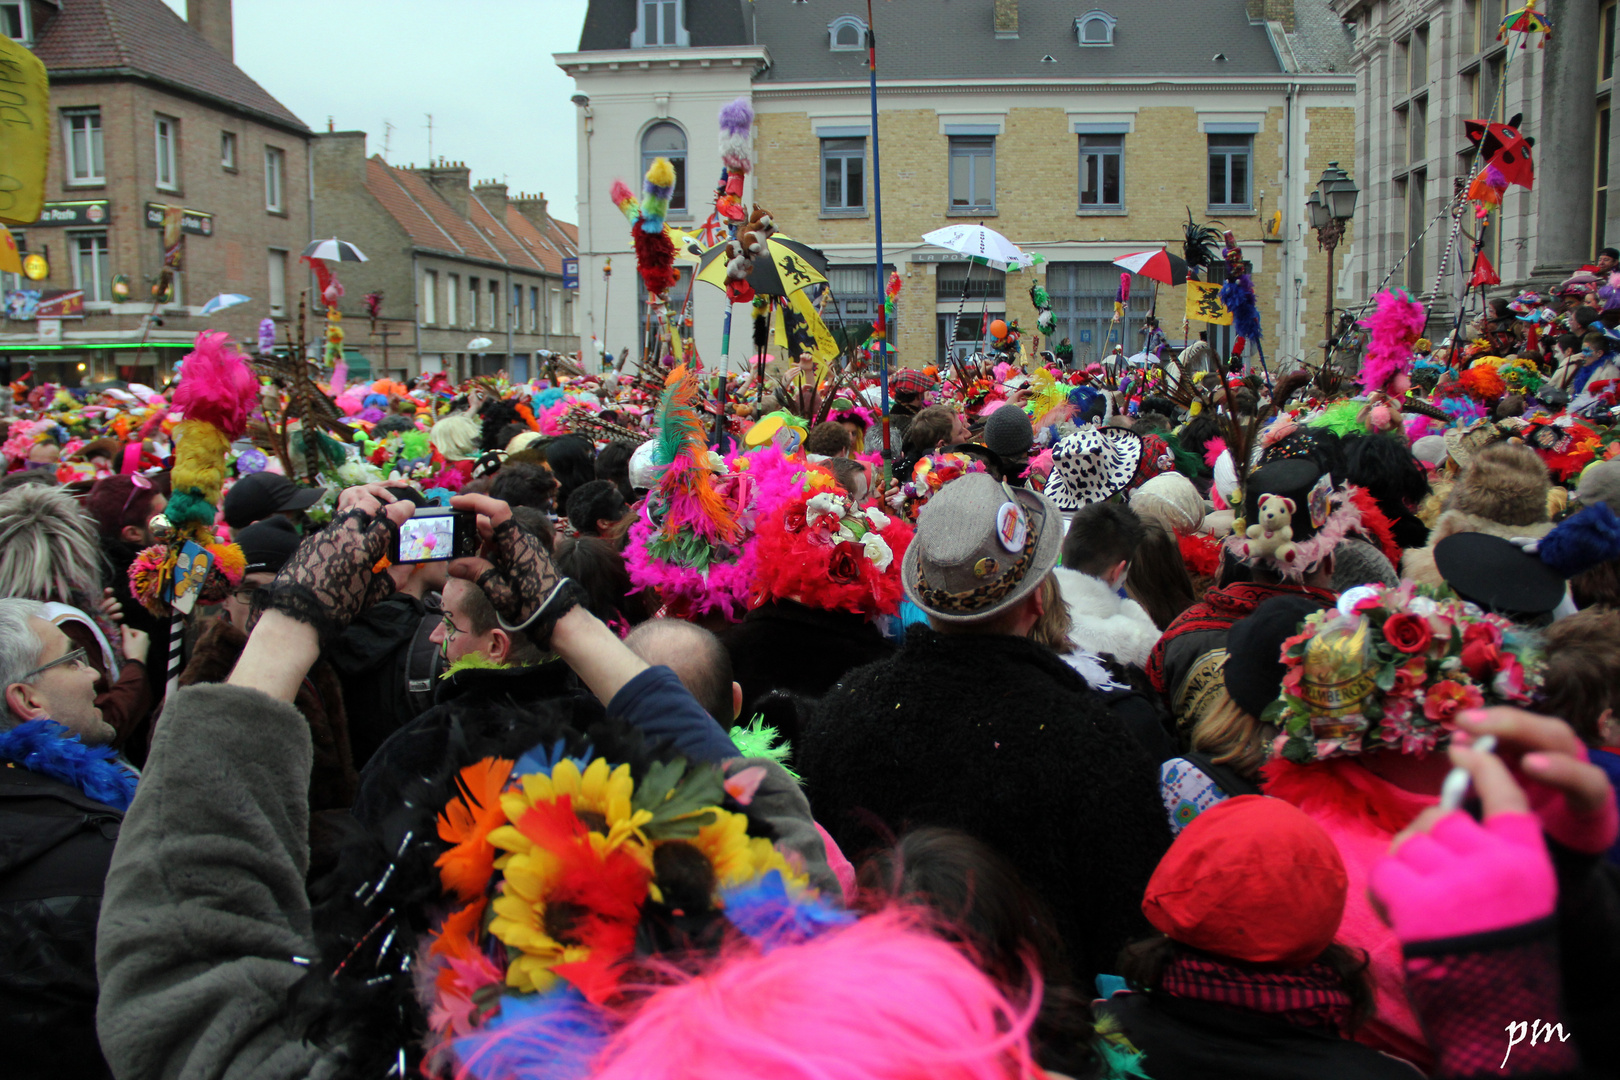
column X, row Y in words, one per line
column 62, row 797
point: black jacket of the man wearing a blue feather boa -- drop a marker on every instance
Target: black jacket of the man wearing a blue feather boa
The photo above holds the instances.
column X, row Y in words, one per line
column 56, row 846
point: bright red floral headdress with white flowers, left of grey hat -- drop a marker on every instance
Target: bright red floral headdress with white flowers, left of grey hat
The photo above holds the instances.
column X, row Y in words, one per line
column 829, row 553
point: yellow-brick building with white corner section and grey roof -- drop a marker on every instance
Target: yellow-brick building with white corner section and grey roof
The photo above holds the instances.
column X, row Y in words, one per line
column 1081, row 132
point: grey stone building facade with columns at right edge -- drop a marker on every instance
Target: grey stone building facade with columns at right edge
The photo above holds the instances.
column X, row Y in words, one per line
column 1425, row 67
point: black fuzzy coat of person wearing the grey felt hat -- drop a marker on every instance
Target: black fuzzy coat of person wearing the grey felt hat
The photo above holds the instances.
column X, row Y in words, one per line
column 1002, row 739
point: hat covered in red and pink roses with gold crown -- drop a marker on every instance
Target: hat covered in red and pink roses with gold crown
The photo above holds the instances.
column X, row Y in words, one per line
column 1392, row 668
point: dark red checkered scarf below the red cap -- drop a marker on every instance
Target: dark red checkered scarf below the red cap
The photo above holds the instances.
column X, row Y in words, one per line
column 1310, row 997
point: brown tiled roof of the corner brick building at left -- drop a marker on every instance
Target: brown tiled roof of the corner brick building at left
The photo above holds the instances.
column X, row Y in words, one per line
column 145, row 38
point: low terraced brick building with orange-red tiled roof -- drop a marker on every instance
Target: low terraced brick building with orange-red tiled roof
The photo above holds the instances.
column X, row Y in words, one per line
column 454, row 261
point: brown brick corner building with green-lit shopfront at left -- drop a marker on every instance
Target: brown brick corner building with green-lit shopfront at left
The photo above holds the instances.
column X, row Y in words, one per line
column 153, row 113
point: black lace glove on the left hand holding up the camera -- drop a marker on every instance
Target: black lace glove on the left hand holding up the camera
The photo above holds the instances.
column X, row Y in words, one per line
column 330, row 579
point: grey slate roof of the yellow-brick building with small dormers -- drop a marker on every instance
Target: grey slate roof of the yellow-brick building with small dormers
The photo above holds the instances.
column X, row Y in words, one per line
column 932, row 40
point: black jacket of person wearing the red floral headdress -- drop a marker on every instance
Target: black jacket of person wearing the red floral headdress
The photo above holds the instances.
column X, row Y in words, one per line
column 783, row 645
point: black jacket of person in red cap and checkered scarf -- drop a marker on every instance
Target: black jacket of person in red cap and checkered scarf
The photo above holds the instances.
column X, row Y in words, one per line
column 1196, row 1040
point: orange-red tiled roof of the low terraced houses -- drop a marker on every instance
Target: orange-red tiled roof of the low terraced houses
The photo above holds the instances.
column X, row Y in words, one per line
column 435, row 226
